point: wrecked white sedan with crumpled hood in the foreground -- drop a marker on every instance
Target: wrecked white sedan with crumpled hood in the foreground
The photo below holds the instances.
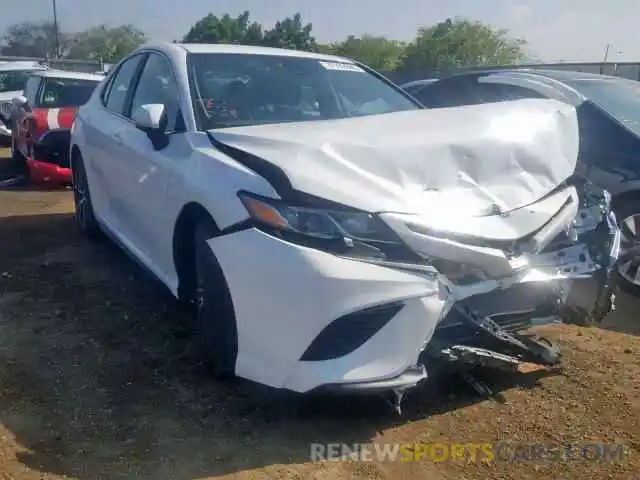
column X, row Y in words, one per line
column 325, row 225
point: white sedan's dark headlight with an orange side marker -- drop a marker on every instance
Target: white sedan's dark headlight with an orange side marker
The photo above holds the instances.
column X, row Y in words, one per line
column 342, row 231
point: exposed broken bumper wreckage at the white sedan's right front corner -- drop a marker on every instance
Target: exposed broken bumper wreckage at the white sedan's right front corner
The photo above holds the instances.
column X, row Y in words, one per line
column 564, row 279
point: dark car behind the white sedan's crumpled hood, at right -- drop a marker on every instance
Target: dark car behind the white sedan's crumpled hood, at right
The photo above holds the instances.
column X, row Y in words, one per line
column 608, row 110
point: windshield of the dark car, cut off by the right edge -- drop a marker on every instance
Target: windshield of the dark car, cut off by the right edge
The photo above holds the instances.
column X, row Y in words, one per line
column 618, row 97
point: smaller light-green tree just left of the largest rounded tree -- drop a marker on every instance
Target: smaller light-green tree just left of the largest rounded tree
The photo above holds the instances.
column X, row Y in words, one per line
column 379, row 53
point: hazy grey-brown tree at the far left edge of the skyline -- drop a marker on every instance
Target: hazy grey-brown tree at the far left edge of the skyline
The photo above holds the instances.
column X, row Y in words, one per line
column 32, row 39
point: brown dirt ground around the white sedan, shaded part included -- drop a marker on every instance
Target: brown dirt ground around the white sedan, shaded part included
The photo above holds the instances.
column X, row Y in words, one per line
column 99, row 380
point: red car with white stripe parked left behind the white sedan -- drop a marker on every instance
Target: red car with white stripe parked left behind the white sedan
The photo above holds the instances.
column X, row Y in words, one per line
column 42, row 119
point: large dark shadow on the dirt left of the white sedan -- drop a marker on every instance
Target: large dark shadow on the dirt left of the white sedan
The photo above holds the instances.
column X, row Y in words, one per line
column 100, row 378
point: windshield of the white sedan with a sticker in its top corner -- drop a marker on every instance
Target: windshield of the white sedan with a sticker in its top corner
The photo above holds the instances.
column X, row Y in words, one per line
column 238, row 89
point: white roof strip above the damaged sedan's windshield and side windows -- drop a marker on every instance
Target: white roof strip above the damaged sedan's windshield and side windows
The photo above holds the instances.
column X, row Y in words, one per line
column 243, row 50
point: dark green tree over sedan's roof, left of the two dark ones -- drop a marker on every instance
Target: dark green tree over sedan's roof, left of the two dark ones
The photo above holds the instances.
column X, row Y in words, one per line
column 225, row 29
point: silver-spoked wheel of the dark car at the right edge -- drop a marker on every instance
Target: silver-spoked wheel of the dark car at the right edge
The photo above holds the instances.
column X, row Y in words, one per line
column 628, row 270
